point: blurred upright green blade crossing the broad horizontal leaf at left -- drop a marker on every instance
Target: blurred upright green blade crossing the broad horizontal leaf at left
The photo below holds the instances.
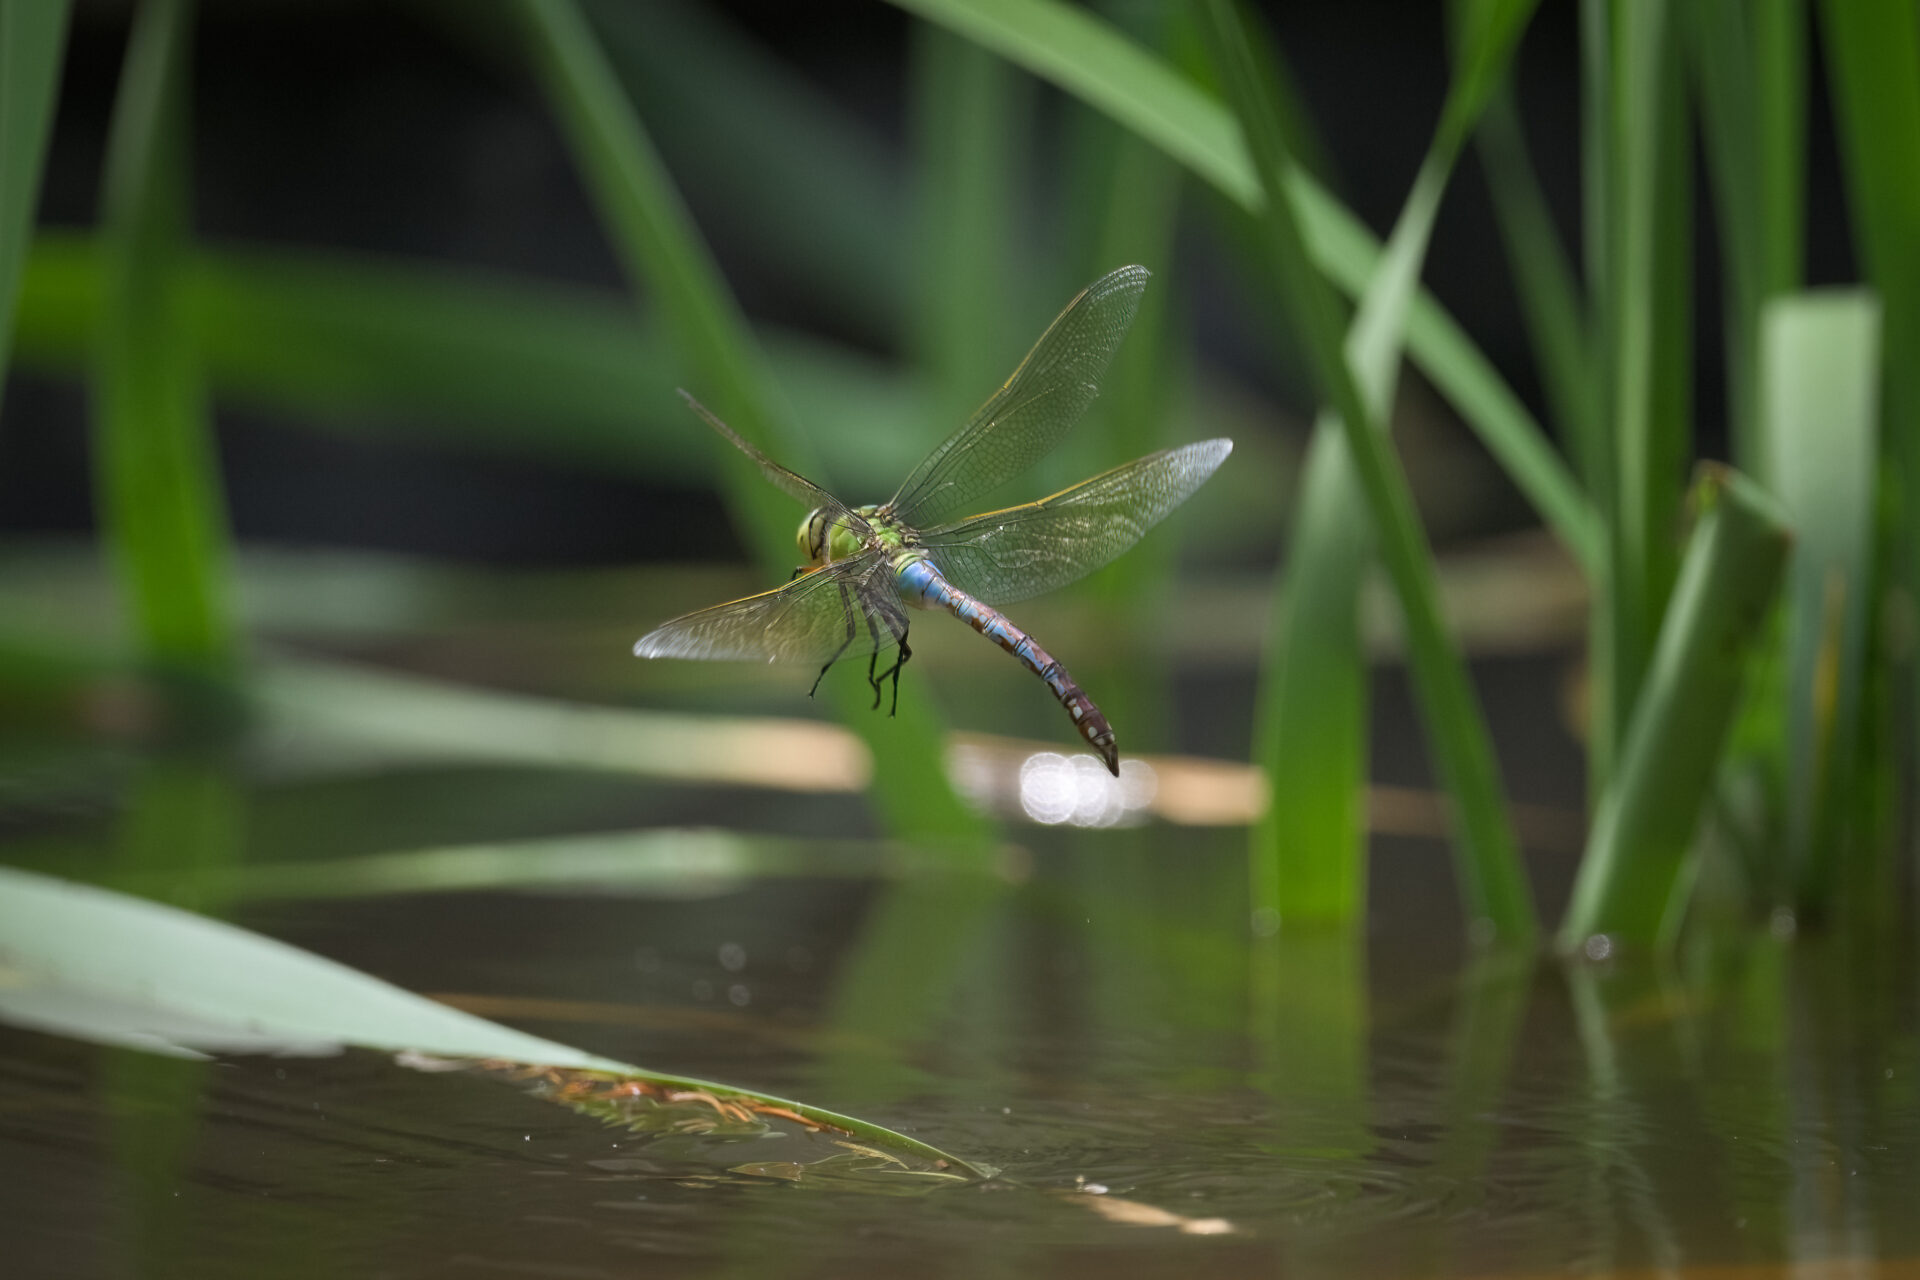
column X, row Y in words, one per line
column 156, row 471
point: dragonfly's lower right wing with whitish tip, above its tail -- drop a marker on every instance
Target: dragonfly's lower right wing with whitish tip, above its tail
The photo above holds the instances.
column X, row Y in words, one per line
column 1009, row 556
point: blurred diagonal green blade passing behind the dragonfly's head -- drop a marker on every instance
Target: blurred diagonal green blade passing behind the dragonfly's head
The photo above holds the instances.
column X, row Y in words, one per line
column 665, row 254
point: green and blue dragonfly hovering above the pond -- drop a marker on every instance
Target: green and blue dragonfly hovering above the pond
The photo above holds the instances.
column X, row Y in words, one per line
column 867, row 567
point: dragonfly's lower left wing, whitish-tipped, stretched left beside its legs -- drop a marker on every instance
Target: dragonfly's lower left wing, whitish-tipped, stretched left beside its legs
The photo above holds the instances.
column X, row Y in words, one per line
column 840, row 611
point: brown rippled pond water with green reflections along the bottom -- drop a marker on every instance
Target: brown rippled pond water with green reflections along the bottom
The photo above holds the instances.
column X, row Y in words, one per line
column 1164, row 1093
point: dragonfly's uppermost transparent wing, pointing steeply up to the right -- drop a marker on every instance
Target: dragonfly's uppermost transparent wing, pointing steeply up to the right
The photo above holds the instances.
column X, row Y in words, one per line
column 1034, row 410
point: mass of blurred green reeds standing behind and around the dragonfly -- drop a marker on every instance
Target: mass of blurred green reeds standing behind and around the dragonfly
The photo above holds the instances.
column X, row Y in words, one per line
column 940, row 262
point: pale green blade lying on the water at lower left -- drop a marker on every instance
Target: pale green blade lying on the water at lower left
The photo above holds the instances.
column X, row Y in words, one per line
column 97, row 964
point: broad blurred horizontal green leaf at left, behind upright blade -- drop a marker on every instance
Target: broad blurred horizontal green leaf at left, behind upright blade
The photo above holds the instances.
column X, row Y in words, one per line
column 502, row 364
